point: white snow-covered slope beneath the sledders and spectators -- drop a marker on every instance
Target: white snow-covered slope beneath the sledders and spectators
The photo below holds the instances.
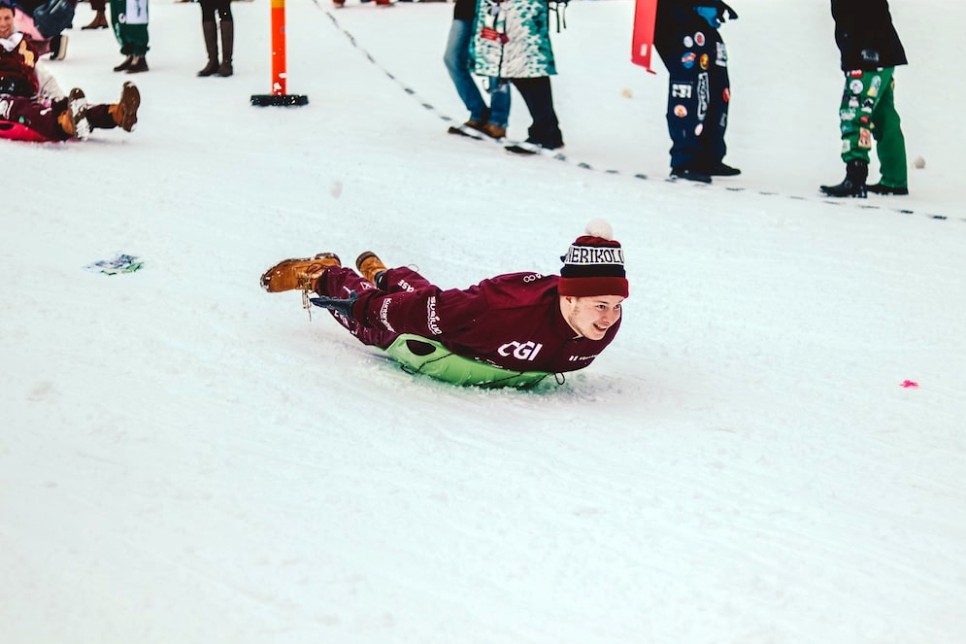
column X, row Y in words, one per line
column 184, row 458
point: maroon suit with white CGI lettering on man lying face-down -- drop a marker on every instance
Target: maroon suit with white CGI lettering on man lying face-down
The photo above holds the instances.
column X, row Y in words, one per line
column 512, row 321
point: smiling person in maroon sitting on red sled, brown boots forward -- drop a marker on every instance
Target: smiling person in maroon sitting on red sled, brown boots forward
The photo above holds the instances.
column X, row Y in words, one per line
column 32, row 105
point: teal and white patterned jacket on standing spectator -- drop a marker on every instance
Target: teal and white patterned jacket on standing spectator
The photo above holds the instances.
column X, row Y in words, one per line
column 512, row 39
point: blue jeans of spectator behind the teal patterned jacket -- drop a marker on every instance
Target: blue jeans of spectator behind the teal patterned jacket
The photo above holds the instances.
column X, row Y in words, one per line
column 457, row 59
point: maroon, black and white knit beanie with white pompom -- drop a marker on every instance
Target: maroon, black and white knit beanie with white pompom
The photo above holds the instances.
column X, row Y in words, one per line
column 594, row 264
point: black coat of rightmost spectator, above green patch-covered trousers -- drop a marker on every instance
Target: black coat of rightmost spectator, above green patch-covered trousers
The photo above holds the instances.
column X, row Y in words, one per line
column 865, row 35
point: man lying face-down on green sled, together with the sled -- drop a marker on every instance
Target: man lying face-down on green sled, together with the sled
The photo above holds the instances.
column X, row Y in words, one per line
column 510, row 330
